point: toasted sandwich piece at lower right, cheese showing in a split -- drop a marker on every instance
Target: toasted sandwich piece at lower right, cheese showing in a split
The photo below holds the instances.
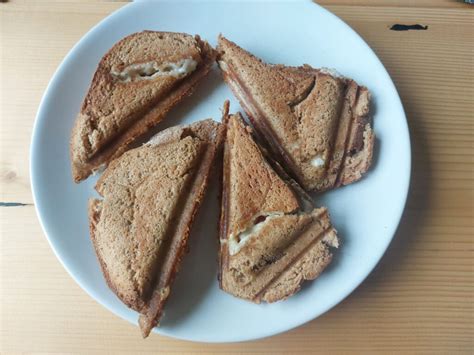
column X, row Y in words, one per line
column 271, row 237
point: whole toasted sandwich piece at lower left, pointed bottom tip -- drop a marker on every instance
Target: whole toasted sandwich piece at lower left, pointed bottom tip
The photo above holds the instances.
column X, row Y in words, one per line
column 141, row 226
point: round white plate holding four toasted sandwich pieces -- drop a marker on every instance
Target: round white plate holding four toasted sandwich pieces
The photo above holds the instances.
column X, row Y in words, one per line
column 366, row 213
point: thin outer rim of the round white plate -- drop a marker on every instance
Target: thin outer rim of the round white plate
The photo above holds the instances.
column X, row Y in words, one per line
column 39, row 118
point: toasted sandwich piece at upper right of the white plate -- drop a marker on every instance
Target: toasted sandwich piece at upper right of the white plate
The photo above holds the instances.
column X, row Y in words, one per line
column 314, row 121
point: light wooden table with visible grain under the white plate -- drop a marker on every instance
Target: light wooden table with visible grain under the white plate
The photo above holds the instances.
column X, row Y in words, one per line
column 419, row 298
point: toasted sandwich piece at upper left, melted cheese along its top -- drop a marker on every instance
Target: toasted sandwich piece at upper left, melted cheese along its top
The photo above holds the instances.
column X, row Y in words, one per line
column 135, row 85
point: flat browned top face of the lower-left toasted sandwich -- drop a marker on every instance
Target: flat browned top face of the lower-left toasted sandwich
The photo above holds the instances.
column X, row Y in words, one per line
column 141, row 192
